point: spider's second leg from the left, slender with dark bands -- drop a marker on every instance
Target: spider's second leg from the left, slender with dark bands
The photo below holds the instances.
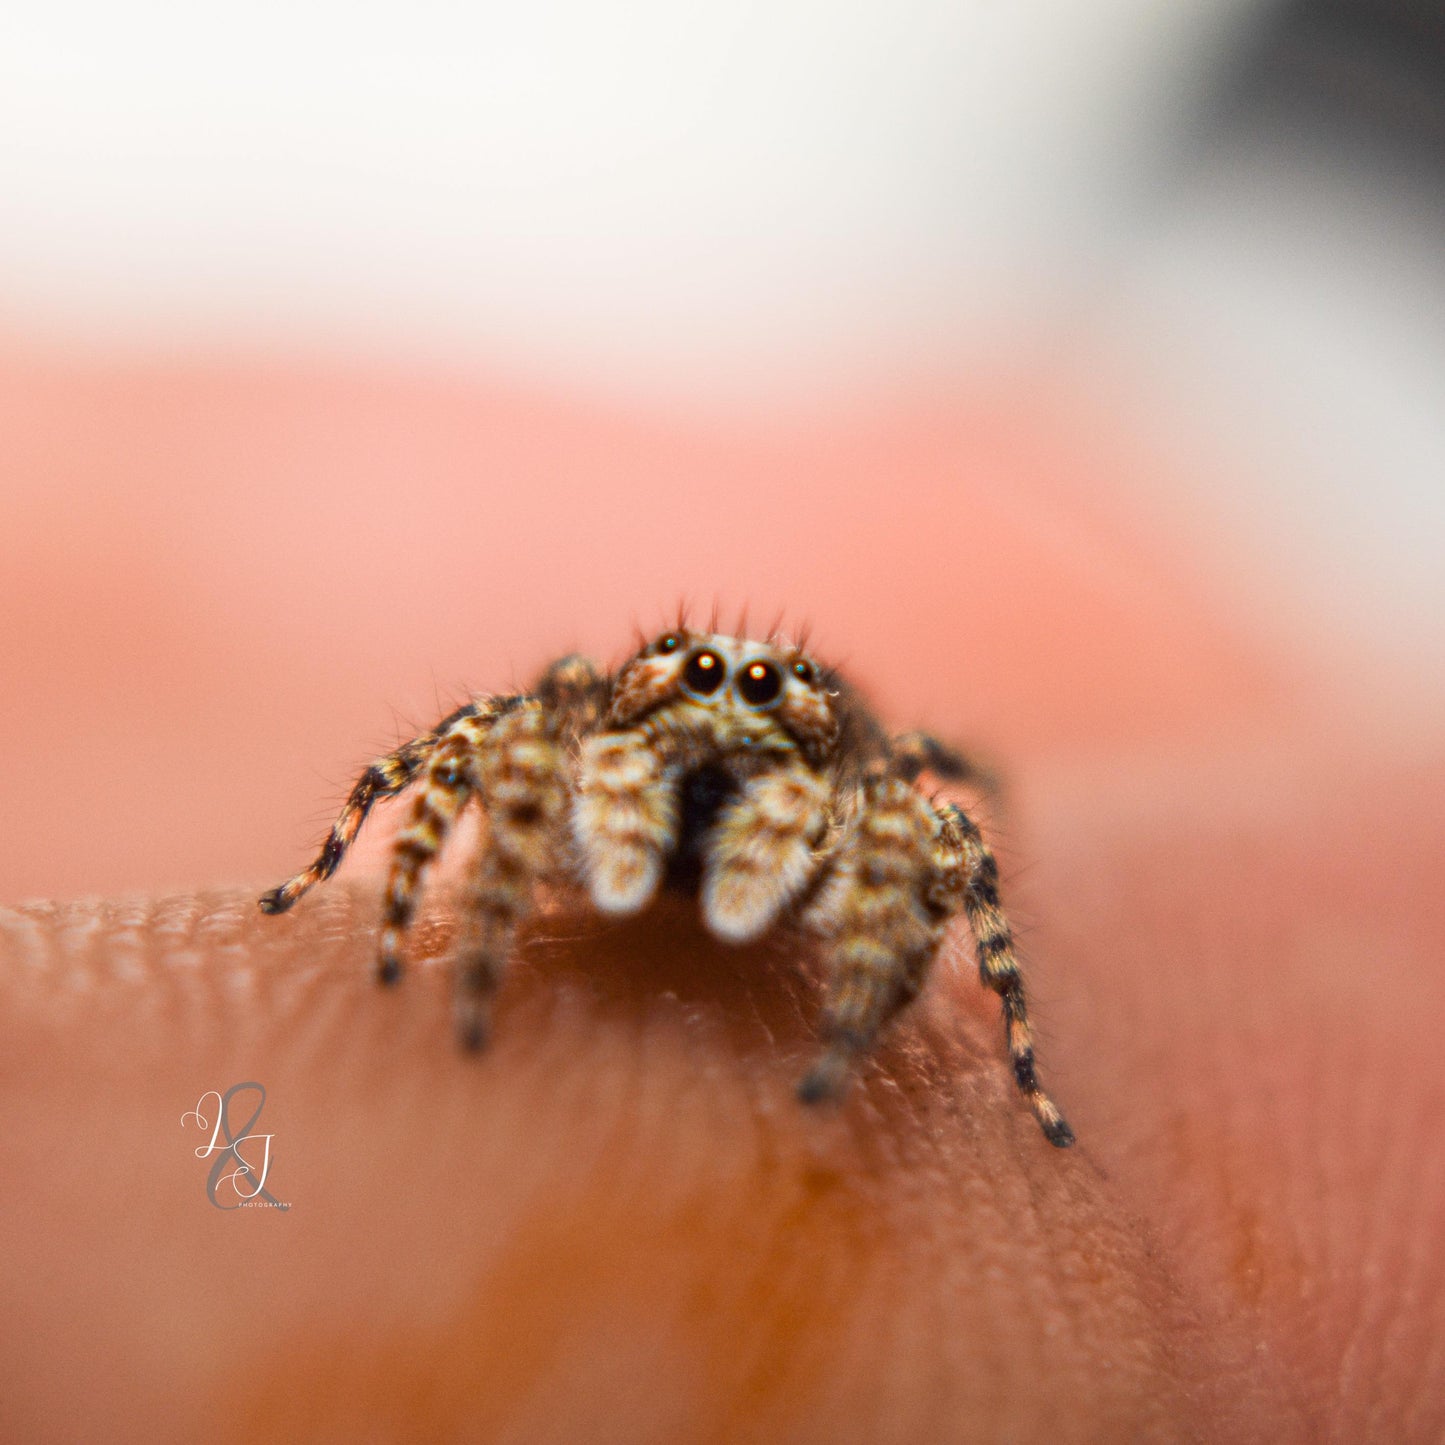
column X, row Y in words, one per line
column 447, row 784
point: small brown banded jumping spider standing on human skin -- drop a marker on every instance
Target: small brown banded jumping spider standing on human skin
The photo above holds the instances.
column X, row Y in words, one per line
column 741, row 771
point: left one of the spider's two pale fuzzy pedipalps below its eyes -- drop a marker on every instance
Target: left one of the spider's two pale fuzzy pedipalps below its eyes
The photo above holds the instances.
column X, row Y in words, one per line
column 625, row 819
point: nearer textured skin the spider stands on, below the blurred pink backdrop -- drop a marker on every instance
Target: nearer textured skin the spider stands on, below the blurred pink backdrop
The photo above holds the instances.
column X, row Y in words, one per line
column 621, row 1225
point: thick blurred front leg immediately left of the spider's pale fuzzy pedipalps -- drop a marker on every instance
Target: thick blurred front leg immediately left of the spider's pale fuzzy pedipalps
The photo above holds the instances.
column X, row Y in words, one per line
column 522, row 778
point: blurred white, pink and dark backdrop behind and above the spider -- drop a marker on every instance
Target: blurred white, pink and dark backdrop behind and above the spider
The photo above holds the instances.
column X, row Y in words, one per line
column 1077, row 371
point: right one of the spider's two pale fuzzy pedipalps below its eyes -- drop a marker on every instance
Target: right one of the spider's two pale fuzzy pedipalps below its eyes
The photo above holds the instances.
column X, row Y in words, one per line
column 762, row 850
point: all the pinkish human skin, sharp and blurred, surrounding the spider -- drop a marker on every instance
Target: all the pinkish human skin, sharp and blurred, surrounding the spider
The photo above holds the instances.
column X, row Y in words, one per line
column 619, row 1225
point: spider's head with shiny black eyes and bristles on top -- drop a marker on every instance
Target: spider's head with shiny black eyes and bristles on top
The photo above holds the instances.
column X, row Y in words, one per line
column 735, row 691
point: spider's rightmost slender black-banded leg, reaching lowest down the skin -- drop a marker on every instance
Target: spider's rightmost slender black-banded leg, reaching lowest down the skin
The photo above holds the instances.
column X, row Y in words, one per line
column 998, row 963
